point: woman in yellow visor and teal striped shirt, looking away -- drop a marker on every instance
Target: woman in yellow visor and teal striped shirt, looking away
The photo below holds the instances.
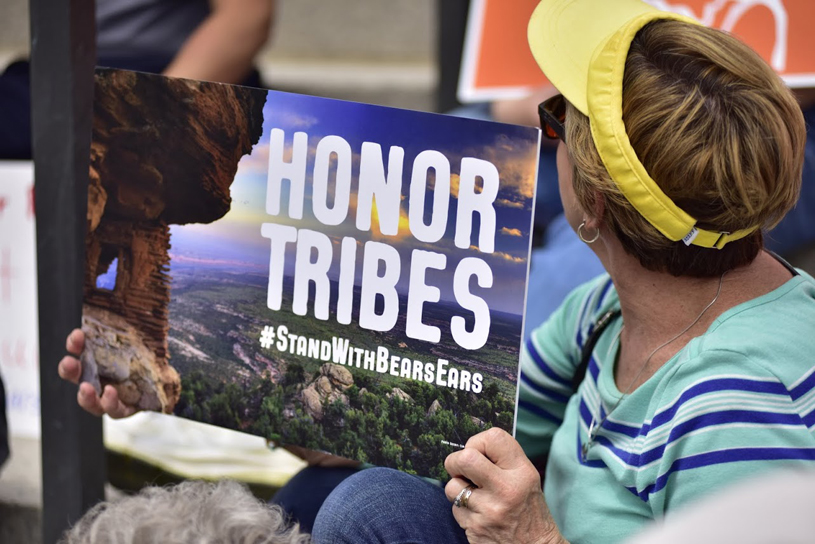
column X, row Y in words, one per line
column 679, row 147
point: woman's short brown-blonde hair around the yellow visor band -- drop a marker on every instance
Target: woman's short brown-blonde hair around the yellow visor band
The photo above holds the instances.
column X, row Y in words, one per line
column 716, row 129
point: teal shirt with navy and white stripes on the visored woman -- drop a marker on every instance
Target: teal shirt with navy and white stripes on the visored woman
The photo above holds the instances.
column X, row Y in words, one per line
column 734, row 402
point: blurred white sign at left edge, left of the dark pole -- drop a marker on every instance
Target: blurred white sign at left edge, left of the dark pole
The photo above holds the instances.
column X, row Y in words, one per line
column 19, row 347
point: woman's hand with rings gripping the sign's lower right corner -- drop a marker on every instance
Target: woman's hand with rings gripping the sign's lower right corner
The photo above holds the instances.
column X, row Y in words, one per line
column 507, row 504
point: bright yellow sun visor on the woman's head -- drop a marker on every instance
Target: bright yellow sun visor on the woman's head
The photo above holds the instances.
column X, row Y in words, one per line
column 582, row 46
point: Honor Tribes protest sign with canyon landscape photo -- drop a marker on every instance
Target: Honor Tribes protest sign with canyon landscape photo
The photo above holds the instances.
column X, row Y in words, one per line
column 344, row 277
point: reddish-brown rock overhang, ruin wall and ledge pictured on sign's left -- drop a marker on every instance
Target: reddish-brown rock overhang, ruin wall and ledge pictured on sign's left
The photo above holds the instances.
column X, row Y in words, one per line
column 164, row 151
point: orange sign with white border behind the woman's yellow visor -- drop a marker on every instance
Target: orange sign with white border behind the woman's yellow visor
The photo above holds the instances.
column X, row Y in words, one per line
column 499, row 63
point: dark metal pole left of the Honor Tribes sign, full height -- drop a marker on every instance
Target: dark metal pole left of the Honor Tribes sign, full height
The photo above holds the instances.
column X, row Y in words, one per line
column 63, row 55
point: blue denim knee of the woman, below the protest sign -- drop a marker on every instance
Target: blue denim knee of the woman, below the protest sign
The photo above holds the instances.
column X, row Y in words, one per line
column 385, row 505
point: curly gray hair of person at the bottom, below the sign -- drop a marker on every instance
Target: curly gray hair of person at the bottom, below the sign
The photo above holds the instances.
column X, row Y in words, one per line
column 191, row 512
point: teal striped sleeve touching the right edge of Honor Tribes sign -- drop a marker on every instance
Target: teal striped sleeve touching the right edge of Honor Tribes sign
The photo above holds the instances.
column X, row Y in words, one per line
column 549, row 357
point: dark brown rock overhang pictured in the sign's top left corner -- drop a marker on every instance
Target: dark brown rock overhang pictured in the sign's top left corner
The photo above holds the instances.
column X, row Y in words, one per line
column 168, row 149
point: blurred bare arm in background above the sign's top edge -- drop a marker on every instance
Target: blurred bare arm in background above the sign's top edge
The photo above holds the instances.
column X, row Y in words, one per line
column 224, row 46
